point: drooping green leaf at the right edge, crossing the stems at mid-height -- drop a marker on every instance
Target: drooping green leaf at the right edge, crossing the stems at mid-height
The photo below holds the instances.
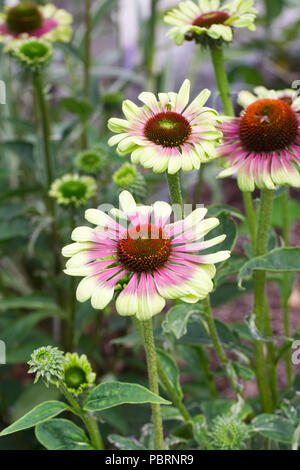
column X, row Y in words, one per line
column 278, row 260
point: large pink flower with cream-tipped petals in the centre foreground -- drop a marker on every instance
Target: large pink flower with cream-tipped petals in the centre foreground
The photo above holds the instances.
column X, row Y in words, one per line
column 159, row 261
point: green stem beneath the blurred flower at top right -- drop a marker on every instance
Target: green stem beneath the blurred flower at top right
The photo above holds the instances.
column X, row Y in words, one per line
column 222, row 80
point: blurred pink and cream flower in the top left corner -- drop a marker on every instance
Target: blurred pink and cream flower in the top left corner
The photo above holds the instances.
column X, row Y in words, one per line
column 27, row 19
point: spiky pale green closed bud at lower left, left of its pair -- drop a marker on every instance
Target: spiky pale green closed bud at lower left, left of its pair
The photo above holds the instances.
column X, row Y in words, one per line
column 47, row 363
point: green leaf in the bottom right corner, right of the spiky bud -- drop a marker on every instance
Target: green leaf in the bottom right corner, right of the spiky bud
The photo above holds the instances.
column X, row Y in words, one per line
column 274, row 427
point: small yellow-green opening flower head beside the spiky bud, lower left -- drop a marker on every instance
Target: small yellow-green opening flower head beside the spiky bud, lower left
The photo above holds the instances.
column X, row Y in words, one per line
column 78, row 373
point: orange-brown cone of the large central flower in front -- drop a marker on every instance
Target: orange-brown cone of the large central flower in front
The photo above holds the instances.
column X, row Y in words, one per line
column 144, row 248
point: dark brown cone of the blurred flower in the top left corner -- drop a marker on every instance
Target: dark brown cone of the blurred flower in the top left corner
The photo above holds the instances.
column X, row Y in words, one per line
column 24, row 18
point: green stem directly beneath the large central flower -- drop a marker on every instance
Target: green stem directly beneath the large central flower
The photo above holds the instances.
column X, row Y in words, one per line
column 153, row 381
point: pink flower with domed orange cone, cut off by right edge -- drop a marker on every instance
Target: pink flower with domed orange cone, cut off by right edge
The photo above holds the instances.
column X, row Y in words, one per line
column 263, row 145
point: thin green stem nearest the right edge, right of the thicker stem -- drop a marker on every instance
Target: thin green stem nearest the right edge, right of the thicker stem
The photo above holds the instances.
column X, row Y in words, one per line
column 286, row 285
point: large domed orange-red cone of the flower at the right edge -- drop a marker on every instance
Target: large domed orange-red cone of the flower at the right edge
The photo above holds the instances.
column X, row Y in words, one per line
column 268, row 125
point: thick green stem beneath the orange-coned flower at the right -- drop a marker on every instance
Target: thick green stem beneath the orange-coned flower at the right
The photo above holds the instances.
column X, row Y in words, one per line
column 259, row 297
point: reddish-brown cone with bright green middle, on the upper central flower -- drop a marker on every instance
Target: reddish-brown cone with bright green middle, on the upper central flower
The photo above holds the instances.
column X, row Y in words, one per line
column 168, row 129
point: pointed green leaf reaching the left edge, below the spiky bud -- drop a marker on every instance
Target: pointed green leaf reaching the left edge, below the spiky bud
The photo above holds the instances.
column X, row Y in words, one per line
column 39, row 414
